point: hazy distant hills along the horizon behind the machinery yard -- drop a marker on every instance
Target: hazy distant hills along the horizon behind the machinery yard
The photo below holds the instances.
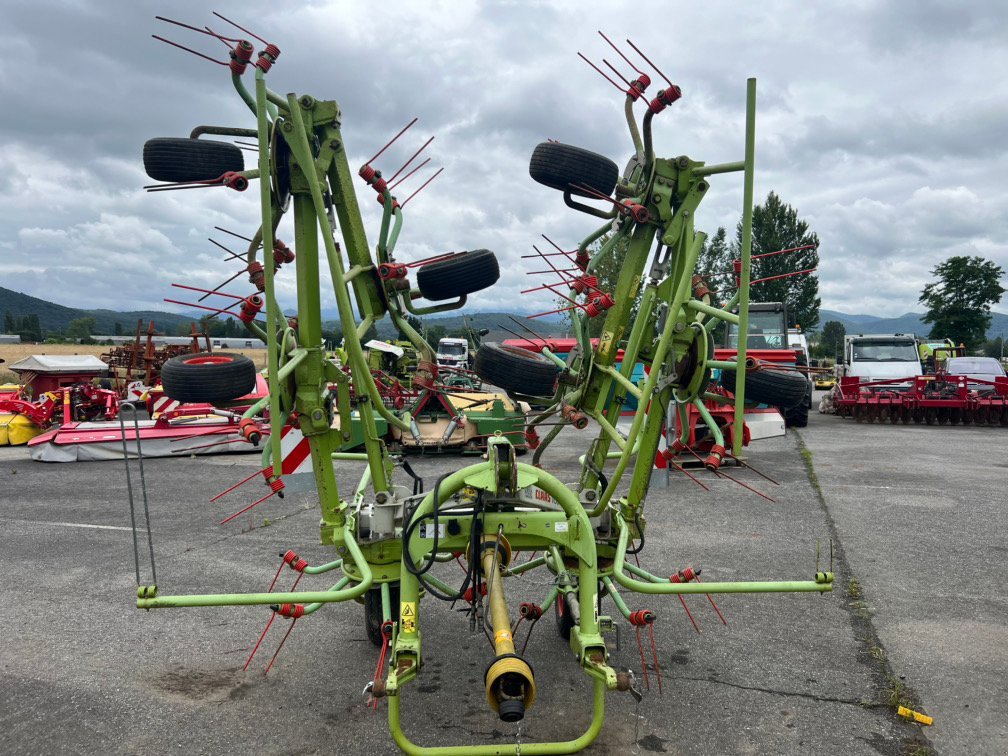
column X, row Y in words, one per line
column 54, row 317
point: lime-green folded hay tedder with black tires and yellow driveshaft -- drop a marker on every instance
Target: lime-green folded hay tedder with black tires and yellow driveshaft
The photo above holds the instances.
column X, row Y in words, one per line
column 387, row 536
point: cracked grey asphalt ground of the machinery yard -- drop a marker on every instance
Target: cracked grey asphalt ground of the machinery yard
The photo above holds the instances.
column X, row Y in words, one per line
column 916, row 527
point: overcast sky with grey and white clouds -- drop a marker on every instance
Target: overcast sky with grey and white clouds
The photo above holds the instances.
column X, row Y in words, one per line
column 885, row 124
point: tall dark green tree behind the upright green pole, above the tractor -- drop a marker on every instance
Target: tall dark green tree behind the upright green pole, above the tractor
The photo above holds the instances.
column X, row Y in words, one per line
column 777, row 226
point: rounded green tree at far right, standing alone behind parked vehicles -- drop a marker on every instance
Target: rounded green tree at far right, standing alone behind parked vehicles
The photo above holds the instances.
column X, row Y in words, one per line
column 959, row 303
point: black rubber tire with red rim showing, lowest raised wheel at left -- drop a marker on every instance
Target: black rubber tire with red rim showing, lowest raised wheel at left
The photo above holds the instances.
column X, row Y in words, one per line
column 212, row 379
